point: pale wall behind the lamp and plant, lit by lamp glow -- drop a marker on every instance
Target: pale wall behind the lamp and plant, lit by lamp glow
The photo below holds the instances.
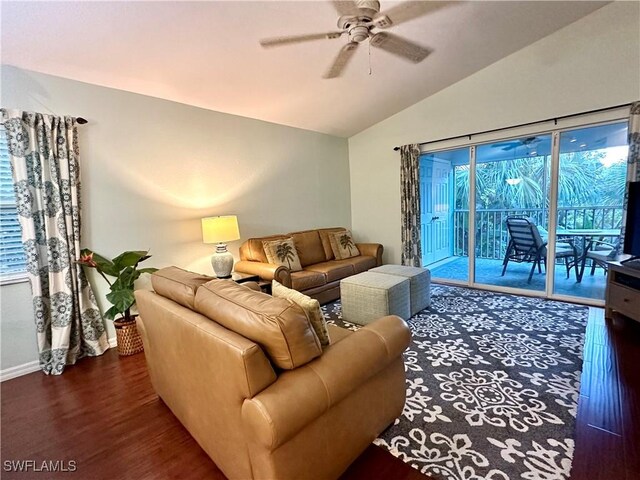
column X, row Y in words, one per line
column 152, row 168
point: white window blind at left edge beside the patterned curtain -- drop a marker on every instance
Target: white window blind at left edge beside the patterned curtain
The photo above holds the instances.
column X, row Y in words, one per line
column 11, row 254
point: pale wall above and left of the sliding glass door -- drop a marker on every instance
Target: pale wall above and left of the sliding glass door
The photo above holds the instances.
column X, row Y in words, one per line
column 592, row 63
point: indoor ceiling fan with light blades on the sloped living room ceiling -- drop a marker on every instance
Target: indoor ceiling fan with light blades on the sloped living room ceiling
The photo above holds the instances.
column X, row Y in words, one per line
column 358, row 19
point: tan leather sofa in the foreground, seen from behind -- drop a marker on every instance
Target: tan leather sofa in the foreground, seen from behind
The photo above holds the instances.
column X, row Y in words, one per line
column 273, row 409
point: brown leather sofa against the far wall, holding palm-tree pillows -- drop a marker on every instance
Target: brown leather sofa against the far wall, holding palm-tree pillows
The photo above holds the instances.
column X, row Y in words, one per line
column 321, row 272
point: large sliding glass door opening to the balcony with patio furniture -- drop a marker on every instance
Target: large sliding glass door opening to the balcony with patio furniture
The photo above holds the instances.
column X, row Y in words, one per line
column 487, row 211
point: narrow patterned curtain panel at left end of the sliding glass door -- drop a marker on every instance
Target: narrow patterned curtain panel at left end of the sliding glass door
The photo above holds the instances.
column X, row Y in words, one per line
column 410, row 205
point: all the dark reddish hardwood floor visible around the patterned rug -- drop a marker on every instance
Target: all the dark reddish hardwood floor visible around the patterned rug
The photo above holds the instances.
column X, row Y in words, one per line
column 104, row 415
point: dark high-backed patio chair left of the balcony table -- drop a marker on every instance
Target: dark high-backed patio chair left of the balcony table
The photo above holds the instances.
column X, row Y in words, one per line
column 526, row 245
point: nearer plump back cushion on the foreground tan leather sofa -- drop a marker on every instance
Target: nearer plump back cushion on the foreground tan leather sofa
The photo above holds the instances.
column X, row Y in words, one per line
column 279, row 326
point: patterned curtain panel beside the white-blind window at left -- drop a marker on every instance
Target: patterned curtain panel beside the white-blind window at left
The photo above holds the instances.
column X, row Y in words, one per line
column 44, row 159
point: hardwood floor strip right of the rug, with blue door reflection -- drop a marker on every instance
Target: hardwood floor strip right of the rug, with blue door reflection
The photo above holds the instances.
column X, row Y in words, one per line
column 608, row 426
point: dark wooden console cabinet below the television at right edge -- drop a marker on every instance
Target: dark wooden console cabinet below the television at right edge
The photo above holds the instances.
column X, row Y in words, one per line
column 623, row 291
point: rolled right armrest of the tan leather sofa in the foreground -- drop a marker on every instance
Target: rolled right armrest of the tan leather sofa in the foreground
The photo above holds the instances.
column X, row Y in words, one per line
column 300, row 396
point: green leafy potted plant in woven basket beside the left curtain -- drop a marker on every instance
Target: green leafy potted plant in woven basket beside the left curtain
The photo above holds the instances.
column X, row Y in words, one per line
column 124, row 269
